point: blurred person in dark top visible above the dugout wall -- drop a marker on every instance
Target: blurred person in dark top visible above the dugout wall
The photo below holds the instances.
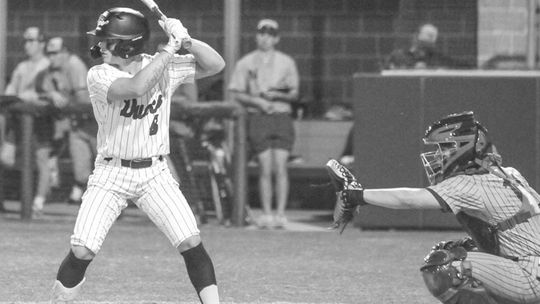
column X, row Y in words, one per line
column 423, row 53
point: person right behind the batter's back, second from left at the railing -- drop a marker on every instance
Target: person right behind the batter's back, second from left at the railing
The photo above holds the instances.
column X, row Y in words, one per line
column 64, row 84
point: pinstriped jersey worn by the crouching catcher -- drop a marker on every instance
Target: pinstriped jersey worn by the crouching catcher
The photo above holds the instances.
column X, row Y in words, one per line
column 489, row 198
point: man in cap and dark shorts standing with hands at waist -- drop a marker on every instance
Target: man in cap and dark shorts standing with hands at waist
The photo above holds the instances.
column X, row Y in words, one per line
column 266, row 81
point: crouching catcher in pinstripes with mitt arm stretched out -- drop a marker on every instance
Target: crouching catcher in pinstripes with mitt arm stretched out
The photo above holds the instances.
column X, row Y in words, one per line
column 499, row 260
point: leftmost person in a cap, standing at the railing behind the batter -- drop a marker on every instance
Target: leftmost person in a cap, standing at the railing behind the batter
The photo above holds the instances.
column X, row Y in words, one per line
column 22, row 84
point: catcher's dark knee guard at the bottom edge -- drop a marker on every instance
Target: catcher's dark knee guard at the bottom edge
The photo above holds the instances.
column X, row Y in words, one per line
column 448, row 278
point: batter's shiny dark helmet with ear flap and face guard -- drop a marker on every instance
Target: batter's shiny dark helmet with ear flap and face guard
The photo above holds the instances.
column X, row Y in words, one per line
column 124, row 24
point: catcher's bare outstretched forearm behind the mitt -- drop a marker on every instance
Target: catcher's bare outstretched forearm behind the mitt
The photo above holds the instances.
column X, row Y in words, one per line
column 401, row 198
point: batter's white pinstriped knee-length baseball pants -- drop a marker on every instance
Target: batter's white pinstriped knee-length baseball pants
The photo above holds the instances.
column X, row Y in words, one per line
column 152, row 189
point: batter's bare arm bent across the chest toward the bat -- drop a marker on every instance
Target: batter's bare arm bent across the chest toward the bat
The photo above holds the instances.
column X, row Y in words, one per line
column 142, row 82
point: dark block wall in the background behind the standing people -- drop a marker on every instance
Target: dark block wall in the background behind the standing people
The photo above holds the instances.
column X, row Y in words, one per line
column 330, row 39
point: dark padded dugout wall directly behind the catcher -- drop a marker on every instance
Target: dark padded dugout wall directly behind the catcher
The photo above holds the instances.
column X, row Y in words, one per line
column 393, row 109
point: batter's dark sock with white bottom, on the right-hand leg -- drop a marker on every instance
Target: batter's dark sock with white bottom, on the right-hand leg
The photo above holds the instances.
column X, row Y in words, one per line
column 201, row 273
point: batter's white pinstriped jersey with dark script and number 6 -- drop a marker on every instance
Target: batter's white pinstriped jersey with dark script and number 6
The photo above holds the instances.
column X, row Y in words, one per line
column 138, row 127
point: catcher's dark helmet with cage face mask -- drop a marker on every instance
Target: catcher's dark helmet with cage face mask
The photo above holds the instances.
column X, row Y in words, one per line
column 460, row 141
